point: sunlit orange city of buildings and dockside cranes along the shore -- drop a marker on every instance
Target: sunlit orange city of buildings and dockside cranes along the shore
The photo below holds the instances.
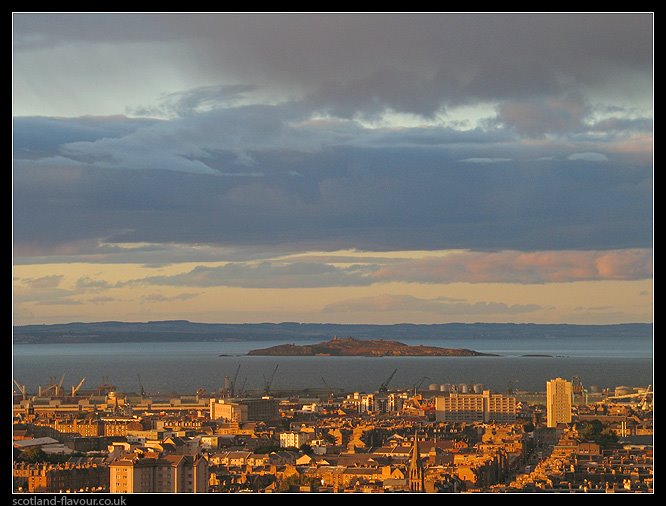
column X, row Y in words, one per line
column 430, row 438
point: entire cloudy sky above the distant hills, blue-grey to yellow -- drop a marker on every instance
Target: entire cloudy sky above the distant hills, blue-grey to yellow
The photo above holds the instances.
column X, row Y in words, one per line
column 349, row 168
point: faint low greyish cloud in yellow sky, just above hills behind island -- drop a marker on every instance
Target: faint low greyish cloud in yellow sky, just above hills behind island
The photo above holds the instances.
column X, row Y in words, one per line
column 408, row 303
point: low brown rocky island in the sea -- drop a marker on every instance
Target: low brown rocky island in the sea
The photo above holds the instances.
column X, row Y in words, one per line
column 350, row 347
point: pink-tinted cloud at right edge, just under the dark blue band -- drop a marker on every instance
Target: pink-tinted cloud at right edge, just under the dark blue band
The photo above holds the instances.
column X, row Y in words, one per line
column 522, row 267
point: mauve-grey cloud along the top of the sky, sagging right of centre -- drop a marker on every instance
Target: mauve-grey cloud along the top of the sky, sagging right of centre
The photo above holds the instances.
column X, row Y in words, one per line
column 361, row 64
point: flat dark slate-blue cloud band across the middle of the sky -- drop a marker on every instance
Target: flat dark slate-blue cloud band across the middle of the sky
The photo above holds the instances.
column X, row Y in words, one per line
column 343, row 197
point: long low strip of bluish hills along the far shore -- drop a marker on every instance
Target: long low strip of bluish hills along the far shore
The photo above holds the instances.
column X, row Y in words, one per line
column 182, row 330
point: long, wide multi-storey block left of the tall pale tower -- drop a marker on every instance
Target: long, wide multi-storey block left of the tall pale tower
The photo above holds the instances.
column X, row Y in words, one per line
column 483, row 407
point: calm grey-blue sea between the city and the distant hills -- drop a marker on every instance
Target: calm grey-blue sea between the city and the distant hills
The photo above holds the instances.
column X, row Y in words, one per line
column 180, row 367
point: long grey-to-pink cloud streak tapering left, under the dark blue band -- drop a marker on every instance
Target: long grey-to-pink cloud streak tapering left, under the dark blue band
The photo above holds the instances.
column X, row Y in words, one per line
column 450, row 267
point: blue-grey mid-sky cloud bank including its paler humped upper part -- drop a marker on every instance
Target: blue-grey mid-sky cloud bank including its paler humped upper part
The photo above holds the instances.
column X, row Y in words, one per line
column 359, row 188
